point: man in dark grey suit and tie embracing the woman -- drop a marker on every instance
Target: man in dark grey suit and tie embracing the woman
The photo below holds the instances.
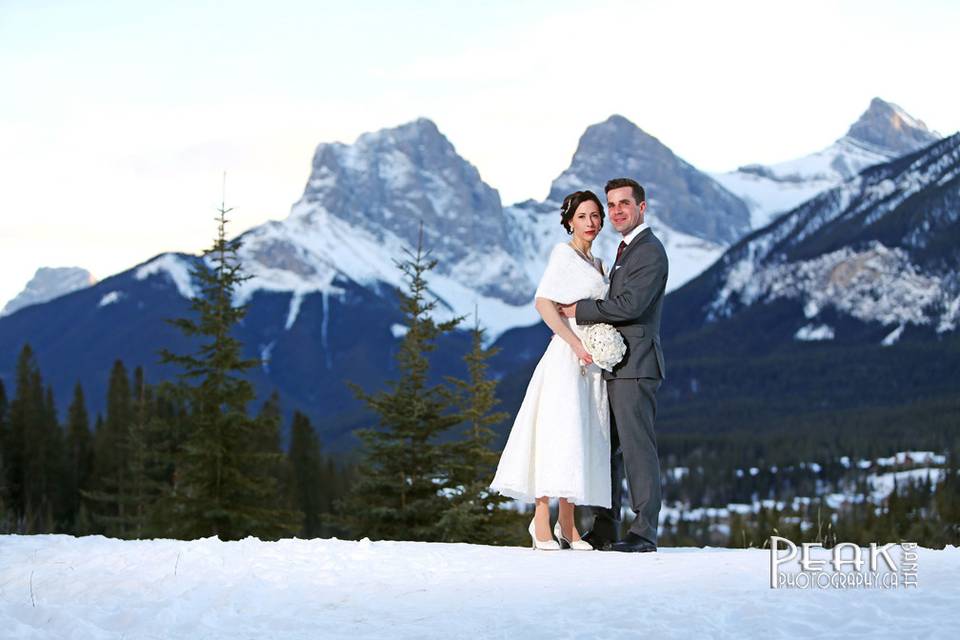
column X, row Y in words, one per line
column 638, row 280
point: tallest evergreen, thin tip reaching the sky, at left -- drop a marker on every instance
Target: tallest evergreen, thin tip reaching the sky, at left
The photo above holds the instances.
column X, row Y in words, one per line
column 219, row 487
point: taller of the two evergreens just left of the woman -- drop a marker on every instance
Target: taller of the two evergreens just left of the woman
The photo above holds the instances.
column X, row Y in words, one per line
column 401, row 485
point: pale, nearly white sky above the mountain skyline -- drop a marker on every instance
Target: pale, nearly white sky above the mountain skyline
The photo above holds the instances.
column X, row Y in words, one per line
column 118, row 118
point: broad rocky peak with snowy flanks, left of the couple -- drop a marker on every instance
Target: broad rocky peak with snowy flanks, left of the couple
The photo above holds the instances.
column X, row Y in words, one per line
column 362, row 210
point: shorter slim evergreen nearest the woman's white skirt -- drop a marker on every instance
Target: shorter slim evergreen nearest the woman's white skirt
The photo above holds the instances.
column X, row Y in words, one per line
column 476, row 513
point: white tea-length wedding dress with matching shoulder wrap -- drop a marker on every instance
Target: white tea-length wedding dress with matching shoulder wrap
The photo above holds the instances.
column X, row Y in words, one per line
column 559, row 445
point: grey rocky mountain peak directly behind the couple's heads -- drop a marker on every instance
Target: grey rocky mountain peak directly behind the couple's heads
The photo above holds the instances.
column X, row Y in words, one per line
column 678, row 194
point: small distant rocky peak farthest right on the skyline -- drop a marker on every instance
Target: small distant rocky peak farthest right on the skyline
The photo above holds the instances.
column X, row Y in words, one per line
column 887, row 128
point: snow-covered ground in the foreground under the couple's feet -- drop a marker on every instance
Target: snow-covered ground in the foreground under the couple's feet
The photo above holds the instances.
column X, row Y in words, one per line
column 55, row 586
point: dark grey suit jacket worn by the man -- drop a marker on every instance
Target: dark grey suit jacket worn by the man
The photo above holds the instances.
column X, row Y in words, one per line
column 633, row 305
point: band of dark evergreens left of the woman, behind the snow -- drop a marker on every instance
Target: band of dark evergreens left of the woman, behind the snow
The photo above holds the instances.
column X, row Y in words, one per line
column 186, row 458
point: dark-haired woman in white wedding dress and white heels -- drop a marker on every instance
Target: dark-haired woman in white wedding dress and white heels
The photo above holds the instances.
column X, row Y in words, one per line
column 559, row 446
